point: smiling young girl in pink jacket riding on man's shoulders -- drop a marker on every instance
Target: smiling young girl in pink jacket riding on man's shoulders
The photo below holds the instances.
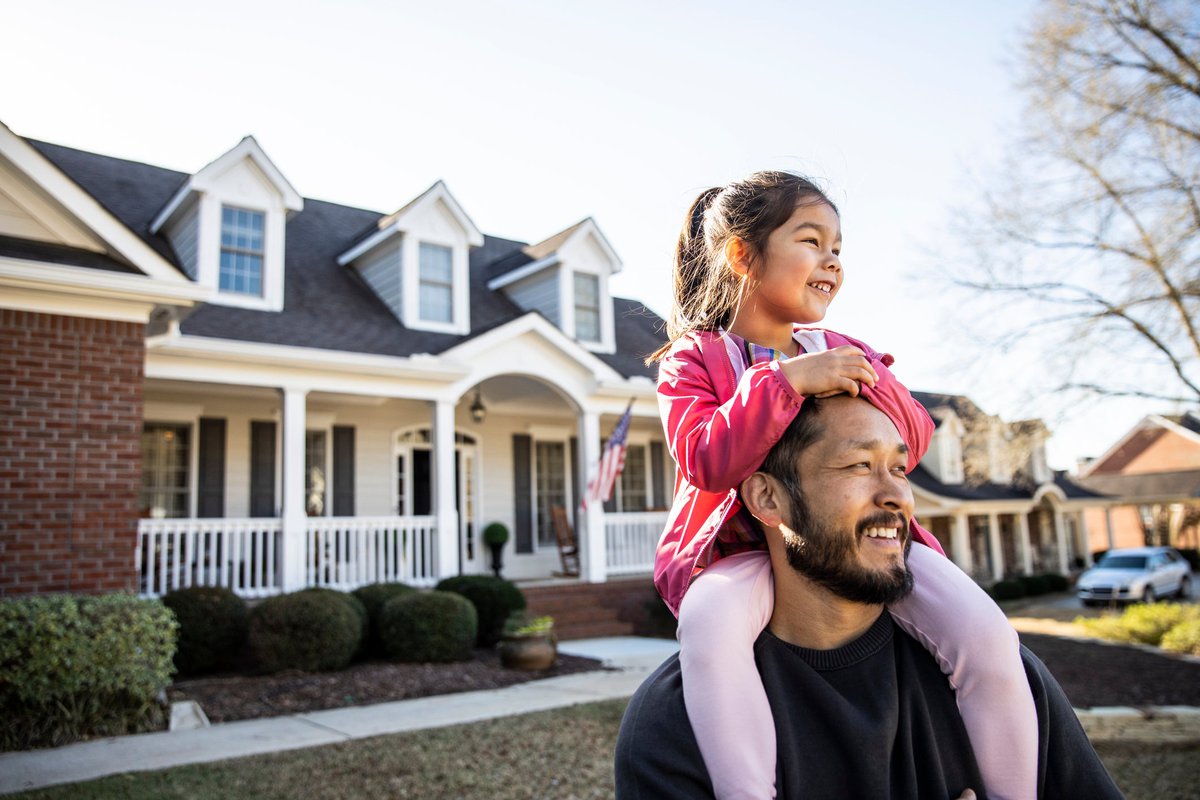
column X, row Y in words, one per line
column 754, row 260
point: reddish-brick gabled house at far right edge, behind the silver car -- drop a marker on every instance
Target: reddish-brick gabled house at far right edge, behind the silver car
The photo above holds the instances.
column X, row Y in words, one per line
column 1153, row 474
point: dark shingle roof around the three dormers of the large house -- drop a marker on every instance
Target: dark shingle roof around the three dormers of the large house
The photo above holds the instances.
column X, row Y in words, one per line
column 328, row 306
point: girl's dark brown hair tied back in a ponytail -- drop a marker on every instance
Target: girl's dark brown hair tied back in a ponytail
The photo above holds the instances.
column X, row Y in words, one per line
column 707, row 293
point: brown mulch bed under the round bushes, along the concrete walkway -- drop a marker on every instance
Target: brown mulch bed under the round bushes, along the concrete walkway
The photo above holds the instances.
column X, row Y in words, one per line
column 226, row 699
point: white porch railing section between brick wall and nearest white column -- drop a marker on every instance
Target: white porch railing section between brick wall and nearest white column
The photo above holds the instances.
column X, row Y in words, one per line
column 239, row 555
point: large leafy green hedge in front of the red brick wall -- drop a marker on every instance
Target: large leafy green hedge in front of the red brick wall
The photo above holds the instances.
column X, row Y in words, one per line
column 77, row 667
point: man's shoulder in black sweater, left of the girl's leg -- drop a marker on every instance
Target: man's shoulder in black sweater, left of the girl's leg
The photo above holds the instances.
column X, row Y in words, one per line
column 657, row 753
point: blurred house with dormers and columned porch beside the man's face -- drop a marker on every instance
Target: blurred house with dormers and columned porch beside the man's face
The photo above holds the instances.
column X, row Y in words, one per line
column 986, row 492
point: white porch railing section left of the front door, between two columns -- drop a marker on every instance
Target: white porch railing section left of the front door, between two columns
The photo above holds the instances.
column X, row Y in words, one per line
column 350, row 552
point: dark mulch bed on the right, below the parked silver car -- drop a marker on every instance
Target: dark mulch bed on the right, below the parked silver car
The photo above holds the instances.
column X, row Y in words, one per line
column 1099, row 675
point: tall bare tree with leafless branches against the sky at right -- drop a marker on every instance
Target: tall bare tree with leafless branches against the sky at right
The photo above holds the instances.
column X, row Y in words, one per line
column 1093, row 230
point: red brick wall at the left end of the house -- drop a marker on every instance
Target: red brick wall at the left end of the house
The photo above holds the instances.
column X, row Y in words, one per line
column 70, row 453
